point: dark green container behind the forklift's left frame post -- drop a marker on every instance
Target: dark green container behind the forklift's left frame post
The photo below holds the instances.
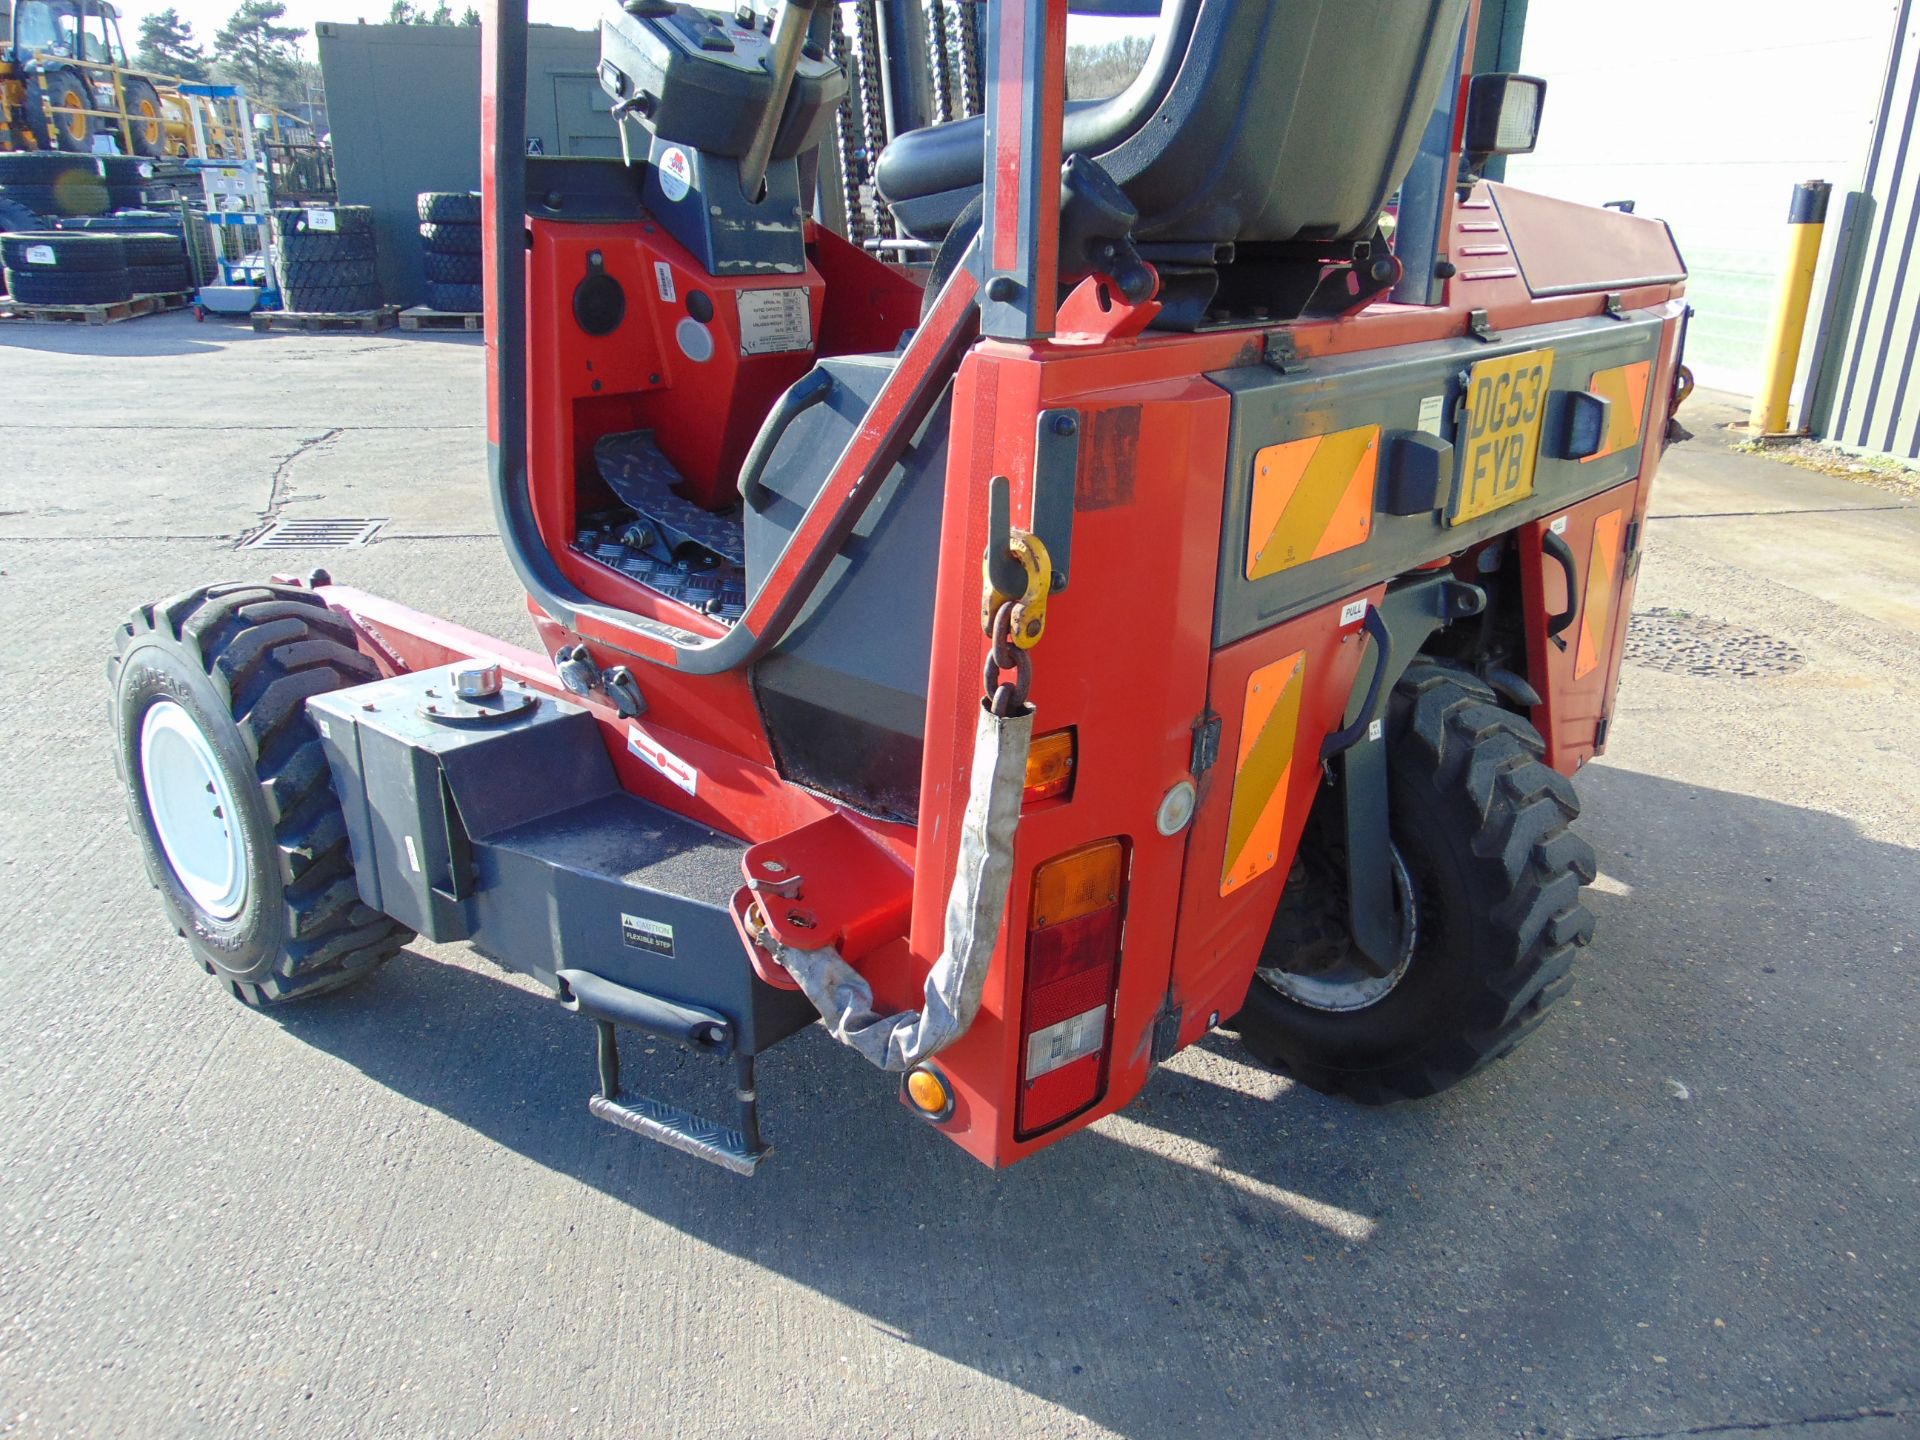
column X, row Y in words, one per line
column 406, row 118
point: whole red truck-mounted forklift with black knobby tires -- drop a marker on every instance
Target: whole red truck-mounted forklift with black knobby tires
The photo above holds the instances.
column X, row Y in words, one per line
column 1022, row 588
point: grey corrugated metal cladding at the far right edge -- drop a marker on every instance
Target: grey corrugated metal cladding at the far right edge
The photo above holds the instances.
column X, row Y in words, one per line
column 1873, row 379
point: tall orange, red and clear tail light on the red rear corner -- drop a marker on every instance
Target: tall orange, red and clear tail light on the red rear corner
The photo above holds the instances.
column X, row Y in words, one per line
column 1067, row 1020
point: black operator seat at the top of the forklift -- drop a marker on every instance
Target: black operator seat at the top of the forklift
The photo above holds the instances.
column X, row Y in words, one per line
column 1251, row 122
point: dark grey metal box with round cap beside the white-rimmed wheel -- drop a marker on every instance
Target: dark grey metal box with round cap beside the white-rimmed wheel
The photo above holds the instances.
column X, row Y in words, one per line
column 512, row 830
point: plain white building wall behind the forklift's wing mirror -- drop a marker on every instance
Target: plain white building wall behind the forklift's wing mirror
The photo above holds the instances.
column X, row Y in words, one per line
column 1708, row 116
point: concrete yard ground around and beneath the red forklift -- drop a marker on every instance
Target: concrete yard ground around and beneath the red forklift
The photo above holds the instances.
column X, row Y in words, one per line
column 1689, row 1207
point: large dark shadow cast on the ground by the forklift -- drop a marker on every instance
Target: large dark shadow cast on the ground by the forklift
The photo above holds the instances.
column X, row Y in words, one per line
column 1560, row 1243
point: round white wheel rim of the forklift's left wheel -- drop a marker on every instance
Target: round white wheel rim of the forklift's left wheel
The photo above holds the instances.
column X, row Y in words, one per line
column 193, row 809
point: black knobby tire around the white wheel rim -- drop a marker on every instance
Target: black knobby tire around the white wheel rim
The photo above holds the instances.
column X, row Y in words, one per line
column 241, row 661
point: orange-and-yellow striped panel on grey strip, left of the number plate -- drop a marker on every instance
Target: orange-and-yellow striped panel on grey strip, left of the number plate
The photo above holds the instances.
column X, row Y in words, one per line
column 1312, row 498
